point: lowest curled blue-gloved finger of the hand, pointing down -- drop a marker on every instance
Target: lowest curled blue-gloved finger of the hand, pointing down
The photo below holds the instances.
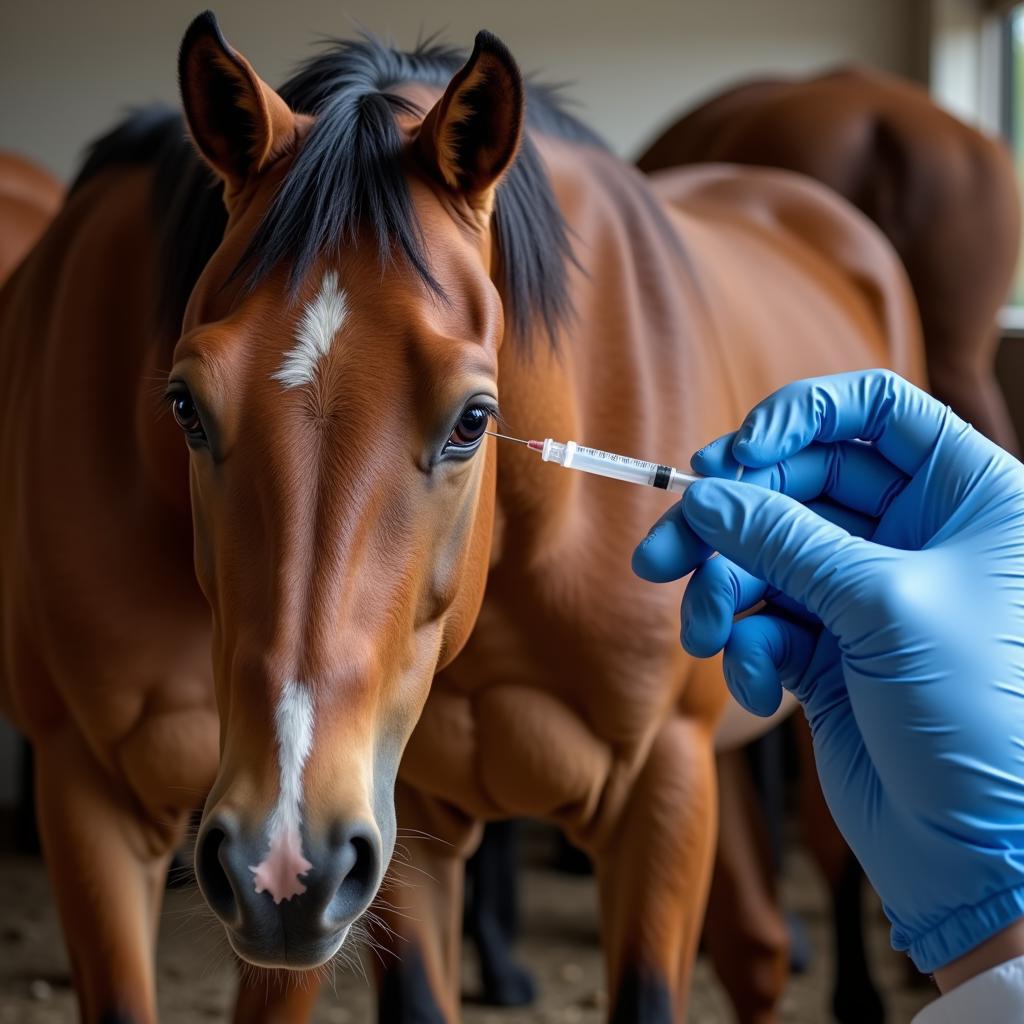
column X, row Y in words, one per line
column 764, row 654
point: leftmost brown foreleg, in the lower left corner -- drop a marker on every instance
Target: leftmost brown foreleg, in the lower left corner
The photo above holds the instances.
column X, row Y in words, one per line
column 108, row 861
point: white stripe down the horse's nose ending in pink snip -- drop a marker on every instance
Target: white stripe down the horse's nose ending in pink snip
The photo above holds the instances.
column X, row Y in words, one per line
column 279, row 873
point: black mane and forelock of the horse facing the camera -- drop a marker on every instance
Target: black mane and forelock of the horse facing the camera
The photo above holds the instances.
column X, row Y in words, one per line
column 349, row 177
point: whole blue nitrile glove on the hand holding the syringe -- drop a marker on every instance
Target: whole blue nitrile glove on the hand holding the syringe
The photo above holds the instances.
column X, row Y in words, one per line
column 907, row 651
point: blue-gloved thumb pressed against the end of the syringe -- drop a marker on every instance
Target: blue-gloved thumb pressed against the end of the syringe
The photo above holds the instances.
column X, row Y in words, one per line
column 774, row 538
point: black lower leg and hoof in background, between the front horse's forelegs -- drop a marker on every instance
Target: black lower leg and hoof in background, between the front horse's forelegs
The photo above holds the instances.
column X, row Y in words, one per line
column 493, row 916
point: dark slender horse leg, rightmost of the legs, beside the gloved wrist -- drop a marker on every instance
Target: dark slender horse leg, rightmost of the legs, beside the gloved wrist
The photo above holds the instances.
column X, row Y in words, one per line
column 856, row 998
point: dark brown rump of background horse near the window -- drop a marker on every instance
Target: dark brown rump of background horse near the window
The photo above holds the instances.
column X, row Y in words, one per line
column 945, row 195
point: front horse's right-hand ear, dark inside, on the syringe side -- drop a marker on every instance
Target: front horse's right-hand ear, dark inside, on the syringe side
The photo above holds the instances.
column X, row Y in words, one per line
column 473, row 134
